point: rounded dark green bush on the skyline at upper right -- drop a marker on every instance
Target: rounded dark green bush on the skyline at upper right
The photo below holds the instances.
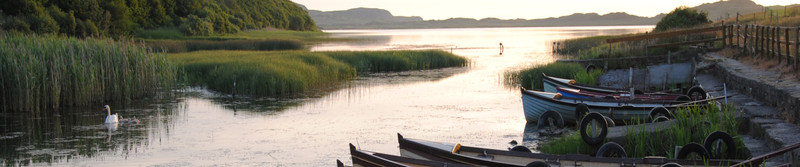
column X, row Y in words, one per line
column 682, row 17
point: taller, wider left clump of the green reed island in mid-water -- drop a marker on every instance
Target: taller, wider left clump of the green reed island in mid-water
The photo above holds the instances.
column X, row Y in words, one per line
column 262, row 73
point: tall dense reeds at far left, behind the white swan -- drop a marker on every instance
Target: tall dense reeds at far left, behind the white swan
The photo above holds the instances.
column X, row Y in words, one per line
column 48, row 72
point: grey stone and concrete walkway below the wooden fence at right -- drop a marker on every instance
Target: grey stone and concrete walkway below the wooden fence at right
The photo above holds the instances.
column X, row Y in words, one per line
column 769, row 104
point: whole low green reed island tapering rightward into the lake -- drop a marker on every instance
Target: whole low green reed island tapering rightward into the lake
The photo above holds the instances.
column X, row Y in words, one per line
column 280, row 73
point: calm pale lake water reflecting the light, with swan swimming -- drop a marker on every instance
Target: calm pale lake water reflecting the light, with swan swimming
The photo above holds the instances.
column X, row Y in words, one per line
column 195, row 127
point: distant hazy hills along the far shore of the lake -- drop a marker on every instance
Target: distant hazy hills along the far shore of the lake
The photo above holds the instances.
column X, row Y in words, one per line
column 373, row 18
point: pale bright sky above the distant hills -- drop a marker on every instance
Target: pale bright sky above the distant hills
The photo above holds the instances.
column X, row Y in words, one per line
column 513, row 9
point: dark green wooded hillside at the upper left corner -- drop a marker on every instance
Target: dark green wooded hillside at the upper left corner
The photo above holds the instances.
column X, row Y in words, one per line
column 125, row 17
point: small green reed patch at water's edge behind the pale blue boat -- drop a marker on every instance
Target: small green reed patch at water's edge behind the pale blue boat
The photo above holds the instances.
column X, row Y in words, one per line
column 531, row 78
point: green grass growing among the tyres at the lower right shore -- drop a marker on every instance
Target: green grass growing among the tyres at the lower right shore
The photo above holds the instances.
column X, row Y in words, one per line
column 690, row 126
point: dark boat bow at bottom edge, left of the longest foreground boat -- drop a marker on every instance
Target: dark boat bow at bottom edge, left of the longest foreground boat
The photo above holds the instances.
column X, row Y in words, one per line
column 366, row 158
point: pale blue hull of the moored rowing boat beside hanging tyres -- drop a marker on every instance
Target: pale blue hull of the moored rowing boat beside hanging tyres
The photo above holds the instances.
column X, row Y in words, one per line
column 535, row 103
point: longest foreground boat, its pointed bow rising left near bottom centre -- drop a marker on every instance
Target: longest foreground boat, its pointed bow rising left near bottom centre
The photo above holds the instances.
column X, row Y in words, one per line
column 490, row 157
